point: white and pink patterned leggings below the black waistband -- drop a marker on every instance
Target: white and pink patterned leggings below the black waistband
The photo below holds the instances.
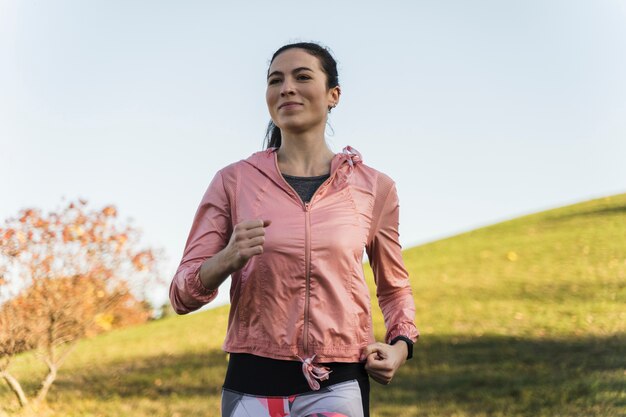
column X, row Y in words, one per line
column 339, row 400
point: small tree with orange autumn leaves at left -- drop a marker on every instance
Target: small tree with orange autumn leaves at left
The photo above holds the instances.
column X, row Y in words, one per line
column 64, row 276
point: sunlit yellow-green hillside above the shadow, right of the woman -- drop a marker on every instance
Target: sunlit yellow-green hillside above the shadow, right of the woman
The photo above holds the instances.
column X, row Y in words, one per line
column 556, row 273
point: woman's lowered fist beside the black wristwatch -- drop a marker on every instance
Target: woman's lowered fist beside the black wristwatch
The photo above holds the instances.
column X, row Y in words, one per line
column 383, row 360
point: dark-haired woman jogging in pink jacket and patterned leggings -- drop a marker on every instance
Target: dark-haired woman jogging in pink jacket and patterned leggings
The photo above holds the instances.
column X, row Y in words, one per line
column 289, row 224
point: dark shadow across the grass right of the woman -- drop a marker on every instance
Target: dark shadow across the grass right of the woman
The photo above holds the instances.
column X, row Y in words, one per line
column 494, row 375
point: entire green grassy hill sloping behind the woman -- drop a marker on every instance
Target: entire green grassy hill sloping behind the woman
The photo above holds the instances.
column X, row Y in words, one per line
column 522, row 318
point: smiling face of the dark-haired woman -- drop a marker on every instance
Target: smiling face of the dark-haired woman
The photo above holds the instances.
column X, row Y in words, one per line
column 297, row 96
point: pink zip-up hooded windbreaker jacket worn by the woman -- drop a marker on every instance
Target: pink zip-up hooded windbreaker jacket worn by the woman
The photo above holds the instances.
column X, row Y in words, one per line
column 306, row 294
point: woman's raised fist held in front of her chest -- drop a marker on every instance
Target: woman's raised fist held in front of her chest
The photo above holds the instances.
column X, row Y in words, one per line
column 245, row 242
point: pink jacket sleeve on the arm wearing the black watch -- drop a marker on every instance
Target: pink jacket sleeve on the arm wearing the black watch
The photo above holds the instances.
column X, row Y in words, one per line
column 383, row 249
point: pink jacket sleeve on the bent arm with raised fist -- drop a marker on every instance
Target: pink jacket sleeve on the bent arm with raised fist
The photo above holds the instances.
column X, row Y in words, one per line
column 209, row 234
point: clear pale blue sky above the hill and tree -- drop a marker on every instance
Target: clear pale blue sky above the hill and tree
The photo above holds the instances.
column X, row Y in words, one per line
column 481, row 111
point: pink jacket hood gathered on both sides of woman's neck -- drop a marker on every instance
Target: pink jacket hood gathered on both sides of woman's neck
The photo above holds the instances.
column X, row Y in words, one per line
column 342, row 165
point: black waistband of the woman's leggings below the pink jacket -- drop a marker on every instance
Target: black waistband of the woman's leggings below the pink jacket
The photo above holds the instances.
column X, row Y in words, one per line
column 256, row 375
